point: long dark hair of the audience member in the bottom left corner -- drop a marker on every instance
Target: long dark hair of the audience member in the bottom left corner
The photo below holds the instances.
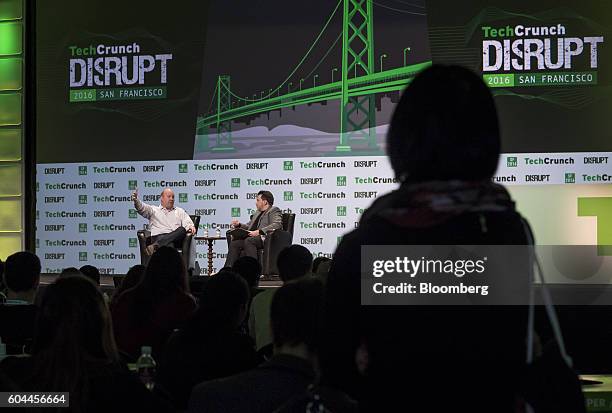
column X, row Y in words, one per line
column 73, row 337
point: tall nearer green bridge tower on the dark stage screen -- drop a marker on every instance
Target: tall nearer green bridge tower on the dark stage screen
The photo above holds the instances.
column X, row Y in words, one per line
column 358, row 113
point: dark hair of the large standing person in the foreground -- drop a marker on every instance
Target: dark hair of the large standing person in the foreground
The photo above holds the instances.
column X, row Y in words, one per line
column 444, row 127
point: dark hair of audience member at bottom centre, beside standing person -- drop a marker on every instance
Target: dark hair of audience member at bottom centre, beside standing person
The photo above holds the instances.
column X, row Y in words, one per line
column 296, row 313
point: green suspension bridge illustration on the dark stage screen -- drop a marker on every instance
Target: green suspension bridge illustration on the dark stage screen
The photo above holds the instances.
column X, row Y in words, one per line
column 357, row 84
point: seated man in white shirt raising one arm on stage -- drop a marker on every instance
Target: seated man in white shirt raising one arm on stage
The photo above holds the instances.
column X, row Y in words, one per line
column 169, row 224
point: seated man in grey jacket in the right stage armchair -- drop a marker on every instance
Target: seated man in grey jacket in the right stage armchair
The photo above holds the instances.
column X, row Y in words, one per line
column 267, row 219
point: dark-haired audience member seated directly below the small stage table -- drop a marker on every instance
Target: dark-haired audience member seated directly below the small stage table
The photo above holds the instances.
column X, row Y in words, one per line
column 210, row 346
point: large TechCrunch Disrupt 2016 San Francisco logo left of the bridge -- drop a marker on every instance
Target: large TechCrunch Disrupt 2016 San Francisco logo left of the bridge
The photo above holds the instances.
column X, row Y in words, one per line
column 102, row 68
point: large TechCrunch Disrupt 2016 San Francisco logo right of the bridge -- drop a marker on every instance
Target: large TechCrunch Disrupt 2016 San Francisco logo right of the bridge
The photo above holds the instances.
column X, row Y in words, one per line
column 521, row 49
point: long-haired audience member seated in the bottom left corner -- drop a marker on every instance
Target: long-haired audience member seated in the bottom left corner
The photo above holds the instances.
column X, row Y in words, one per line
column 74, row 351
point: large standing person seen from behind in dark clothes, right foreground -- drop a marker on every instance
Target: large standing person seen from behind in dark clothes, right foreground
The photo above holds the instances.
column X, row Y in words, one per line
column 444, row 147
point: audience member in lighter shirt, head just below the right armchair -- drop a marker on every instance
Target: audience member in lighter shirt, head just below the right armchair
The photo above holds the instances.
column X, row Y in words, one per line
column 294, row 262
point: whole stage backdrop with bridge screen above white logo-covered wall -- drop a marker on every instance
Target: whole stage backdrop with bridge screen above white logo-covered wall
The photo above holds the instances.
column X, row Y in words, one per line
column 149, row 104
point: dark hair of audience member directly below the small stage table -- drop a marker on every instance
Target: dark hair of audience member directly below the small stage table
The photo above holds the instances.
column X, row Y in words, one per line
column 219, row 305
